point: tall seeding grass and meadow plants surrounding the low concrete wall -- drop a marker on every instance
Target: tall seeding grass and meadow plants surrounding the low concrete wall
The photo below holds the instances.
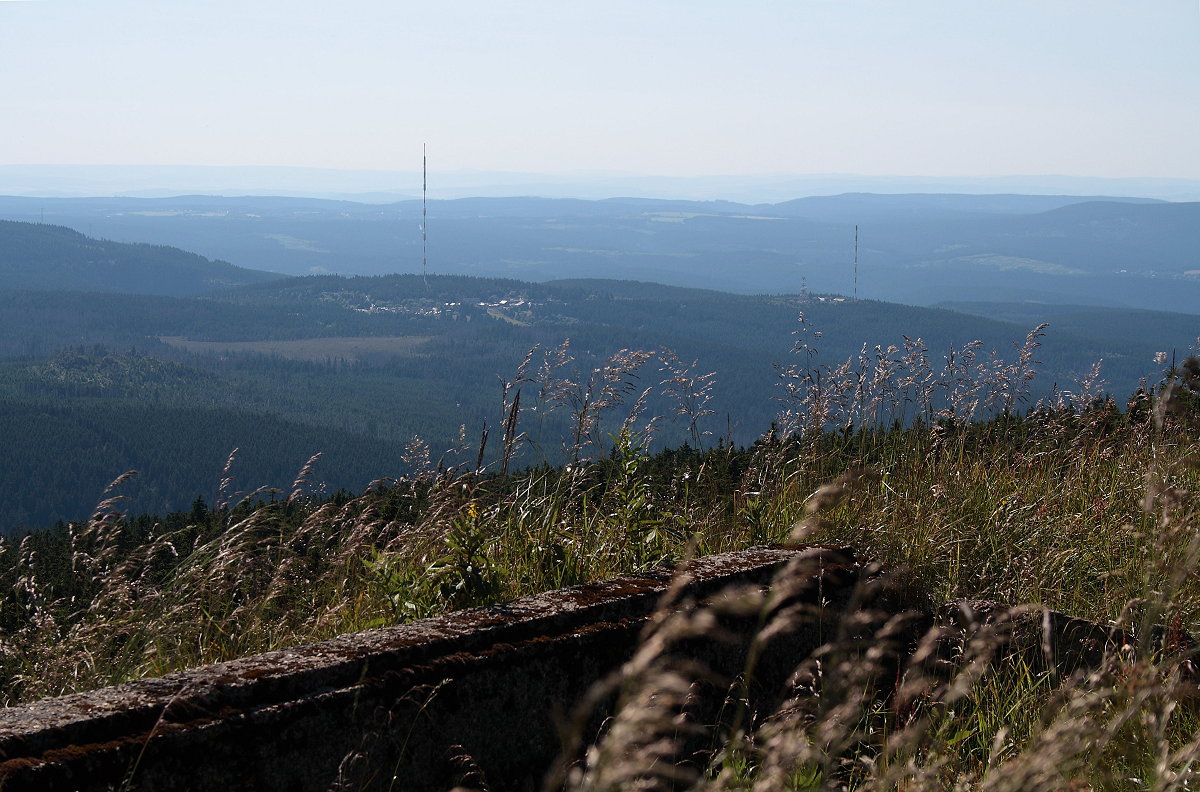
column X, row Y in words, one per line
column 941, row 471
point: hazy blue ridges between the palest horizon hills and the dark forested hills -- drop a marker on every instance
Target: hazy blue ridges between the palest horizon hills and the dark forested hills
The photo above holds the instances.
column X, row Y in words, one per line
column 914, row 249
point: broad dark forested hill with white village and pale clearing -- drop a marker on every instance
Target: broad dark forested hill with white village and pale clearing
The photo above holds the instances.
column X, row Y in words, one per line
column 95, row 385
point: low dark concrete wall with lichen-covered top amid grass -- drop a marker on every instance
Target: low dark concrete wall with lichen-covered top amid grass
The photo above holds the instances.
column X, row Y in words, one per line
column 412, row 707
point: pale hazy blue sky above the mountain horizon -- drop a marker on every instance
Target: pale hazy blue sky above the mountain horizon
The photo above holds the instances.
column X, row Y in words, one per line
column 1101, row 88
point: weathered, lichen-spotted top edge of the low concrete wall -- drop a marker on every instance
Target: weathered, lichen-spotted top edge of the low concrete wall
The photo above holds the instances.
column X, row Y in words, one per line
column 278, row 677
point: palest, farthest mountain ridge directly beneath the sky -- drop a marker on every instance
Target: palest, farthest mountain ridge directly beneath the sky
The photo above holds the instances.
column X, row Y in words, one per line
column 385, row 187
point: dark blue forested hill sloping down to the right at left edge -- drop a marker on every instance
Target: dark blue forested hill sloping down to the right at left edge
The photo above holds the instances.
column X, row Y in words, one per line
column 41, row 257
